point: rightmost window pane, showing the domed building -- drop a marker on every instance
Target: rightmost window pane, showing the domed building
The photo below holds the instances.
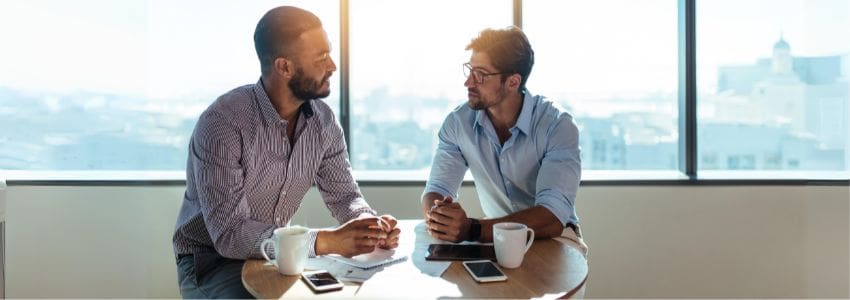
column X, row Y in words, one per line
column 780, row 100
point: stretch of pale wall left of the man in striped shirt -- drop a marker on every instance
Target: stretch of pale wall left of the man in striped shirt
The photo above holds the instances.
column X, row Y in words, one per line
column 90, row 242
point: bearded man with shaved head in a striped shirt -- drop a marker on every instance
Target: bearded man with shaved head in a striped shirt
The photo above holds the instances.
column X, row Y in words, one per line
column 256, row 151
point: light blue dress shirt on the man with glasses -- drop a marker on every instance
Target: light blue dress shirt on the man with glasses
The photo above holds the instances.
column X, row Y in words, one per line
column 539, row 165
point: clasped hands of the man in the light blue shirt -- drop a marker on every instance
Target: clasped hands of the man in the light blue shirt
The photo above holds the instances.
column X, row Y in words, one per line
column 447, row 221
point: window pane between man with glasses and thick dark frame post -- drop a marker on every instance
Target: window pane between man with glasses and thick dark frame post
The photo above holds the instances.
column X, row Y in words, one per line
column 615, row 71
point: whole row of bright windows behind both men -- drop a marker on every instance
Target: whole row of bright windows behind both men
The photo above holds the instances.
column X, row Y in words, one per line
column 119, row 85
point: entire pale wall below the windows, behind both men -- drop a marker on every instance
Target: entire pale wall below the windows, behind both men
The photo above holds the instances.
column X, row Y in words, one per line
column 653, row 241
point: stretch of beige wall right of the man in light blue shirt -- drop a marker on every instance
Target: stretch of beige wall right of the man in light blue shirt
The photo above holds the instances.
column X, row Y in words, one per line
column 717, row 242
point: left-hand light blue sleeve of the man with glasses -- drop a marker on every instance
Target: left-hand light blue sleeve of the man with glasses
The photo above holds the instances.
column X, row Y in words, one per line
column 449, row 165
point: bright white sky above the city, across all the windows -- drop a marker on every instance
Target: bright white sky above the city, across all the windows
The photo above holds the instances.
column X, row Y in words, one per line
column 166, row 50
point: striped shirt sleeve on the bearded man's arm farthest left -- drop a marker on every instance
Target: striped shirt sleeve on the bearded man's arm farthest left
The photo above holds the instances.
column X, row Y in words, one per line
column 215, row 151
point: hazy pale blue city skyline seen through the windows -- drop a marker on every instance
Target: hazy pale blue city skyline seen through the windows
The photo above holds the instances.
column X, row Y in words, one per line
column 629, row 140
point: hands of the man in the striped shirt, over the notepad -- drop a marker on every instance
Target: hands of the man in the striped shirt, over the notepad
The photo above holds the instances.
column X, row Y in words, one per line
column 355, row 237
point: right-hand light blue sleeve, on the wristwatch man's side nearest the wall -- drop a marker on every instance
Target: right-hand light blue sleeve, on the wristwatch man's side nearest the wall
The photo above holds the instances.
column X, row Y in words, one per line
column 560, row 171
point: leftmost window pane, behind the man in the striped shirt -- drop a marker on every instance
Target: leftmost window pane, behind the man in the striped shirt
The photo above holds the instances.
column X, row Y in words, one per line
column 123, row 84
